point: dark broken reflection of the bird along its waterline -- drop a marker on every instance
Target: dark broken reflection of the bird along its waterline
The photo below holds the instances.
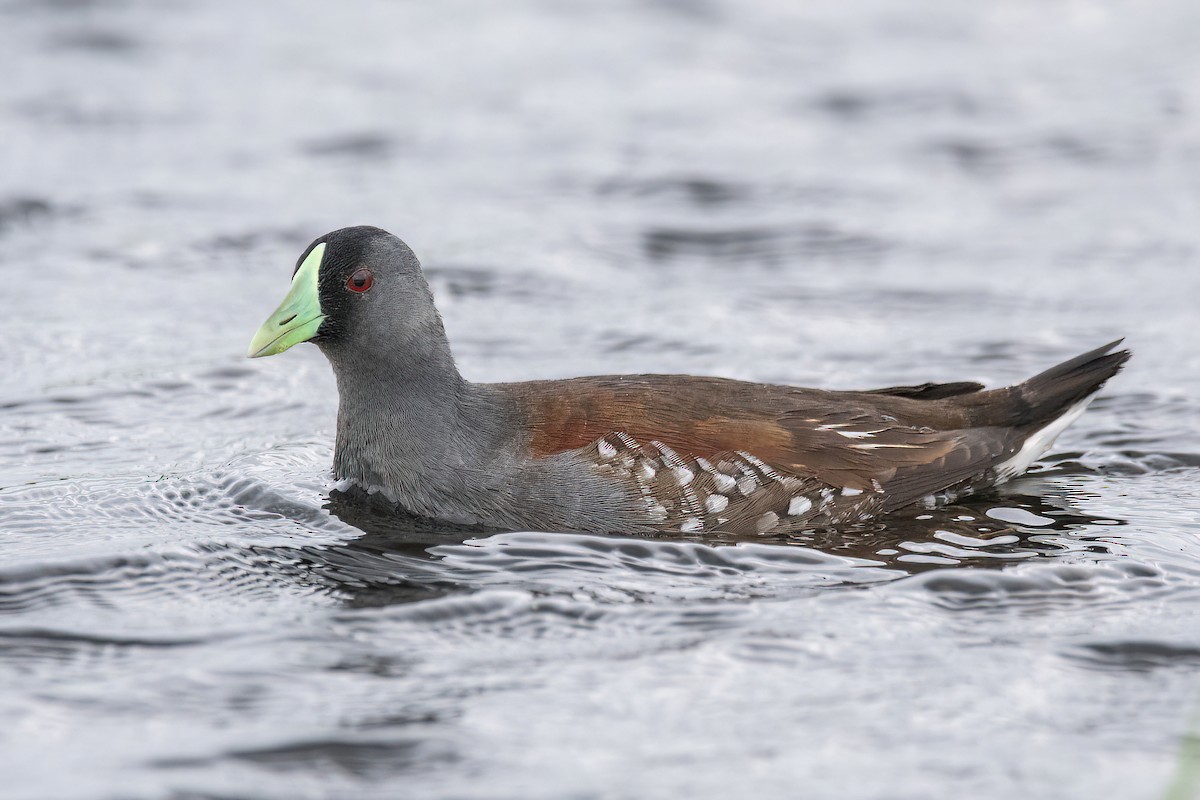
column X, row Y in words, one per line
column 401, row 558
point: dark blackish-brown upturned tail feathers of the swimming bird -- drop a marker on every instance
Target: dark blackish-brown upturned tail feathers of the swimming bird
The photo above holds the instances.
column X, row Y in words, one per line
column 1048, row 395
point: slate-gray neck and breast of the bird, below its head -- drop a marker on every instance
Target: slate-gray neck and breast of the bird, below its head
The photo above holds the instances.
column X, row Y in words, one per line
column 410, row 425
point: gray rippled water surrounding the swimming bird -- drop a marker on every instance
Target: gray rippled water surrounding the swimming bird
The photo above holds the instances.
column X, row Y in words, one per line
column 831, row 195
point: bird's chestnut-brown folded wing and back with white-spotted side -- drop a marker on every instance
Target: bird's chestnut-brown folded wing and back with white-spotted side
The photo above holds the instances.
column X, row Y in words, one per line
column 830, row 456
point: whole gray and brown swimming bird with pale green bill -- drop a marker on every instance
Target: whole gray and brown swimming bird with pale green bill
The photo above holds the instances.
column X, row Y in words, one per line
column 637, row 454
